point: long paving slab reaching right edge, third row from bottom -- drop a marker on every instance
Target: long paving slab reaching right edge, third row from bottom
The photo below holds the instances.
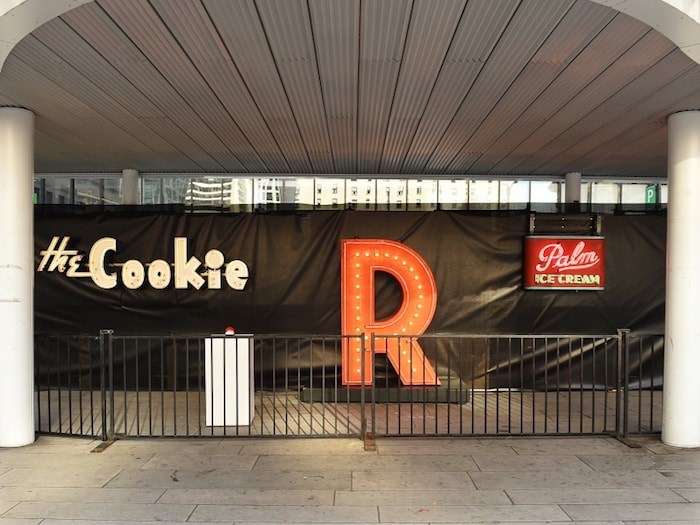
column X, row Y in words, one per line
column 550, row 479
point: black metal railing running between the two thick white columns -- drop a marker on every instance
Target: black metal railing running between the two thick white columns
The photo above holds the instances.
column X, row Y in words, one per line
column 291, row 385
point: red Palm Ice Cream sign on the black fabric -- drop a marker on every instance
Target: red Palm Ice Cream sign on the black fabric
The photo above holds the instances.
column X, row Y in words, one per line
column 564, row 263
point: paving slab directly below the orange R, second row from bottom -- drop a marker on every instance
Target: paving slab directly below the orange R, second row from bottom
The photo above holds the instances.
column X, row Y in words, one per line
column 470, row 496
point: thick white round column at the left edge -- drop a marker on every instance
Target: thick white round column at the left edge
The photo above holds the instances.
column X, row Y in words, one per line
column 16, row 277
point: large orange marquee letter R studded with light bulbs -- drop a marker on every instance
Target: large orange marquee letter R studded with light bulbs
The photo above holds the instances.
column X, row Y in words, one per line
column 360, row 260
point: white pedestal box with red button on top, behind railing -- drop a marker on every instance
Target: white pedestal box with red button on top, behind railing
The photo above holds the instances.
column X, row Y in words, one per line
column 228, row 380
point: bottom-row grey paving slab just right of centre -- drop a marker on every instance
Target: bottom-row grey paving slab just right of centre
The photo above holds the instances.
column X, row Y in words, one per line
column 472, row 513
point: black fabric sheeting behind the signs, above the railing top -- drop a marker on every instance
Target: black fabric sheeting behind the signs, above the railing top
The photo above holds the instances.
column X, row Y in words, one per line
column 294, row 281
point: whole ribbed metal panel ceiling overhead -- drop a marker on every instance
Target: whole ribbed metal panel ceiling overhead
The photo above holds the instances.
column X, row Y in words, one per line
column 350, row 86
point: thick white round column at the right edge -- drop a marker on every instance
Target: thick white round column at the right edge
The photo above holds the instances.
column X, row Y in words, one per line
column 681, row 400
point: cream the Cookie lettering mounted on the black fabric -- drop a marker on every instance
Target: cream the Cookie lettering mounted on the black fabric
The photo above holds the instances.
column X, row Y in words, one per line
column 134, row 273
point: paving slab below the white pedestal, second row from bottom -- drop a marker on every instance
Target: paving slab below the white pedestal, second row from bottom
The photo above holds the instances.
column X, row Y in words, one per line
column 249, row 497
